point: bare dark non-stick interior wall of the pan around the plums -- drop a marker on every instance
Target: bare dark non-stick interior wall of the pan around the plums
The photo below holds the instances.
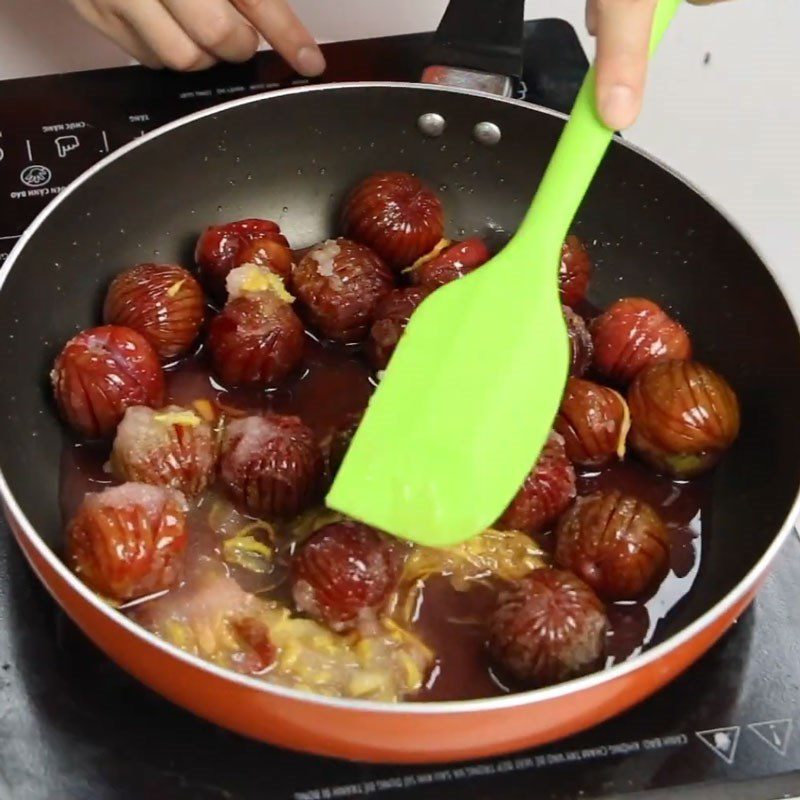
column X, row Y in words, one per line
column 291, row 158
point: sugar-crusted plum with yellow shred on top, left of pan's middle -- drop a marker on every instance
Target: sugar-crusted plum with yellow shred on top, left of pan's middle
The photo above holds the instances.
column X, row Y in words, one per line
column 172, row 448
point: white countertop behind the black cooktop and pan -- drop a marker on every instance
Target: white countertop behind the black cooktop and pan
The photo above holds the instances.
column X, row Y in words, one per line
column 729, row 125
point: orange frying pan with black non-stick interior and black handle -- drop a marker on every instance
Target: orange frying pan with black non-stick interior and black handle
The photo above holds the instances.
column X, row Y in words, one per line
column 654, row 235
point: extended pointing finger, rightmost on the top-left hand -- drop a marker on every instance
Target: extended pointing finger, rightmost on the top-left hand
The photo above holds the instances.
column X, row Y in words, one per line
column 278, row 24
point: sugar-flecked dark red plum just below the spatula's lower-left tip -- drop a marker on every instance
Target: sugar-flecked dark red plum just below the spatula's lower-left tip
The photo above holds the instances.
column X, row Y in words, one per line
column 345, row 571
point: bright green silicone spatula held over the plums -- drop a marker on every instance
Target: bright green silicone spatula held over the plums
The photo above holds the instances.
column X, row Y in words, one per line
column 468, row 400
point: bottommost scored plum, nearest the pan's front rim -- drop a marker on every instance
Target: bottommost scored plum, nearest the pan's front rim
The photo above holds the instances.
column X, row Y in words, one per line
column 547, row 628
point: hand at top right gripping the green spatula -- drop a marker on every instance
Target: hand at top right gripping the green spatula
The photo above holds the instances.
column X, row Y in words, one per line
column 622, row 28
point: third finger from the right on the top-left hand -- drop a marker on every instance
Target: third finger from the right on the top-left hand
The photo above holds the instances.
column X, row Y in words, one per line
column 163, row 35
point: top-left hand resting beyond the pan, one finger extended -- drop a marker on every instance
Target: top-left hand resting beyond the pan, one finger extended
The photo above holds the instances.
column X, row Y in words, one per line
column 194, row 34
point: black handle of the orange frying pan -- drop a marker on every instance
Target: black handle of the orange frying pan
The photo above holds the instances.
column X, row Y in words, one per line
column 481, row 35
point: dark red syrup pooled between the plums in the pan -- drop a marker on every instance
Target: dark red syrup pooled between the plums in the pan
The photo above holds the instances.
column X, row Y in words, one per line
column 334, row 385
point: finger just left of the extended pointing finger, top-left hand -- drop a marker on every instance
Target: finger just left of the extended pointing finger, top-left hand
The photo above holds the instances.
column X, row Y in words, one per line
column 215, row 27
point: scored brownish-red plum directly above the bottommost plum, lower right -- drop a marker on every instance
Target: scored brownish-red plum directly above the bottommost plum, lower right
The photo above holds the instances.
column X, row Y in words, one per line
column 616, row 543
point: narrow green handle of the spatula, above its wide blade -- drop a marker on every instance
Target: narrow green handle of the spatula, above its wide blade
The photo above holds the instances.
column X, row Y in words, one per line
column 577, row 156
